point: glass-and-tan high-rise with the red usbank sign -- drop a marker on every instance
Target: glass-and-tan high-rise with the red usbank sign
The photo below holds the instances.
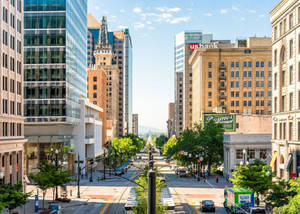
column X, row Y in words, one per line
column 185, row 43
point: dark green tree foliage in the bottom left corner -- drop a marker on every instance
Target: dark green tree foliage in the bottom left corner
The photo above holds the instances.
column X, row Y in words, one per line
column 12, row 196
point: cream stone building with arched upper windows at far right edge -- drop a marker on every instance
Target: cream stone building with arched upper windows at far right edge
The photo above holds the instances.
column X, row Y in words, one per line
column 285, row 20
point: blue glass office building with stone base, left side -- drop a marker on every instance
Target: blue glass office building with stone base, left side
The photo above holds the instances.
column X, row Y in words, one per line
column 55, row 59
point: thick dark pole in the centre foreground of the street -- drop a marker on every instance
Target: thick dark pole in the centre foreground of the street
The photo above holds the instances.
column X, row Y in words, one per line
column 151, row 191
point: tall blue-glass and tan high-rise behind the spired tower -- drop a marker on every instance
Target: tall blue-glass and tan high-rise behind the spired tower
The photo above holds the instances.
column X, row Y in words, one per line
column 122, row 57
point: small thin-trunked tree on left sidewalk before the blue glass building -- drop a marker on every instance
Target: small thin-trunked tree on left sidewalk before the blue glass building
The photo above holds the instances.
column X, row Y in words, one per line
column 43, row 179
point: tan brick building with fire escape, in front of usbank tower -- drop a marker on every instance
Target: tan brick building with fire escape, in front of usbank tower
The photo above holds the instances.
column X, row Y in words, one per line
column 233, row 79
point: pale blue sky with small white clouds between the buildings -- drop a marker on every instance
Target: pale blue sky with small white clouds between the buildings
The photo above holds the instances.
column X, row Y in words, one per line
column 154, row 23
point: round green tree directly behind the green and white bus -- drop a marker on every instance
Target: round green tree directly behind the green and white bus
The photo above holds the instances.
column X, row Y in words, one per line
column 256, row 176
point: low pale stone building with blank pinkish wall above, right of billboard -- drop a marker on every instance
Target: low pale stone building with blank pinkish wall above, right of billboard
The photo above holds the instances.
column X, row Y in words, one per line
column 251, row 140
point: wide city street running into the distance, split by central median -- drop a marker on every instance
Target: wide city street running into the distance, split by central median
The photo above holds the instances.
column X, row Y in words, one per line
column 109, row 196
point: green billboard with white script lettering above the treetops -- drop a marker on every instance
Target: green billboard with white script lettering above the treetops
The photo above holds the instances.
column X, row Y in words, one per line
column 227, row 120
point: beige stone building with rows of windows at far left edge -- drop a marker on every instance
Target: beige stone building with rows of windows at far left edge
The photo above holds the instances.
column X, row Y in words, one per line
column 11, row 108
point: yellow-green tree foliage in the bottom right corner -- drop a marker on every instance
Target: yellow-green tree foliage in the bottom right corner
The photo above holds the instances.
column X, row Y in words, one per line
column 293, row 205
